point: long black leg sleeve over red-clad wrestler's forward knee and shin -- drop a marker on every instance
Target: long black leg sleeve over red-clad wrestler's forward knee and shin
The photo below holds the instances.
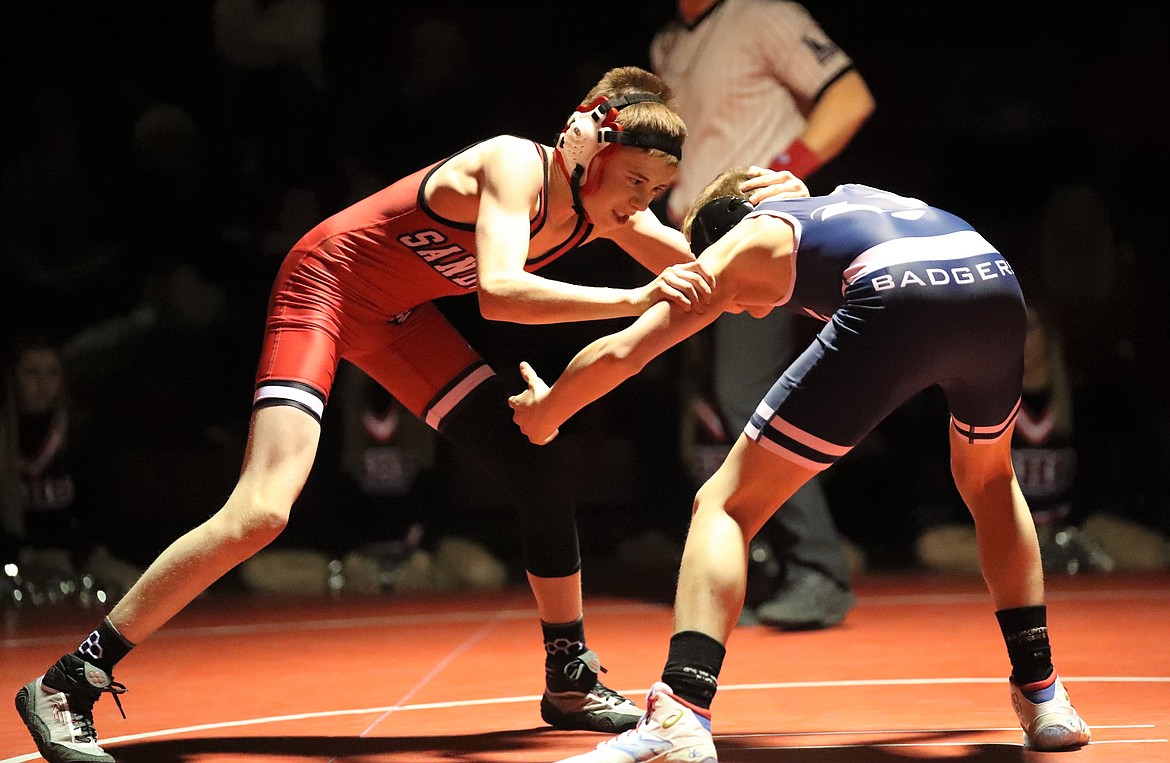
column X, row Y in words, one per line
column 539, row 479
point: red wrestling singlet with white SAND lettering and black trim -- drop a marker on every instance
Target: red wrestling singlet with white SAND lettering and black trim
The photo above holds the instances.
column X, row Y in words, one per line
column 360, row 287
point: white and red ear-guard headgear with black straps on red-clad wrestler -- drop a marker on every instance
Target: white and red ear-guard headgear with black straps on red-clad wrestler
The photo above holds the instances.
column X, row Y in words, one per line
column 590, row 128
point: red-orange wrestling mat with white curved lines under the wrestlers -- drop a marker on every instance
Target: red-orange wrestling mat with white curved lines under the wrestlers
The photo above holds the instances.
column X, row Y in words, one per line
column 917, row 672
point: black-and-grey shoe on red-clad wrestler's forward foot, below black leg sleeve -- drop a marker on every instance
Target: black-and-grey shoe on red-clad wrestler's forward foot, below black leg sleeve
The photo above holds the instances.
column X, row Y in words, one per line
column 588, row 705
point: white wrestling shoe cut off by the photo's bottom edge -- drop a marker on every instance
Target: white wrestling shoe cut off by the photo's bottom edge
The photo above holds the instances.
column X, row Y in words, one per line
column 671, row 732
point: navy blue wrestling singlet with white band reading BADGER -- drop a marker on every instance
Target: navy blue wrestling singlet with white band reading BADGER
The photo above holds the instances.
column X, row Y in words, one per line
column 912, row 297
